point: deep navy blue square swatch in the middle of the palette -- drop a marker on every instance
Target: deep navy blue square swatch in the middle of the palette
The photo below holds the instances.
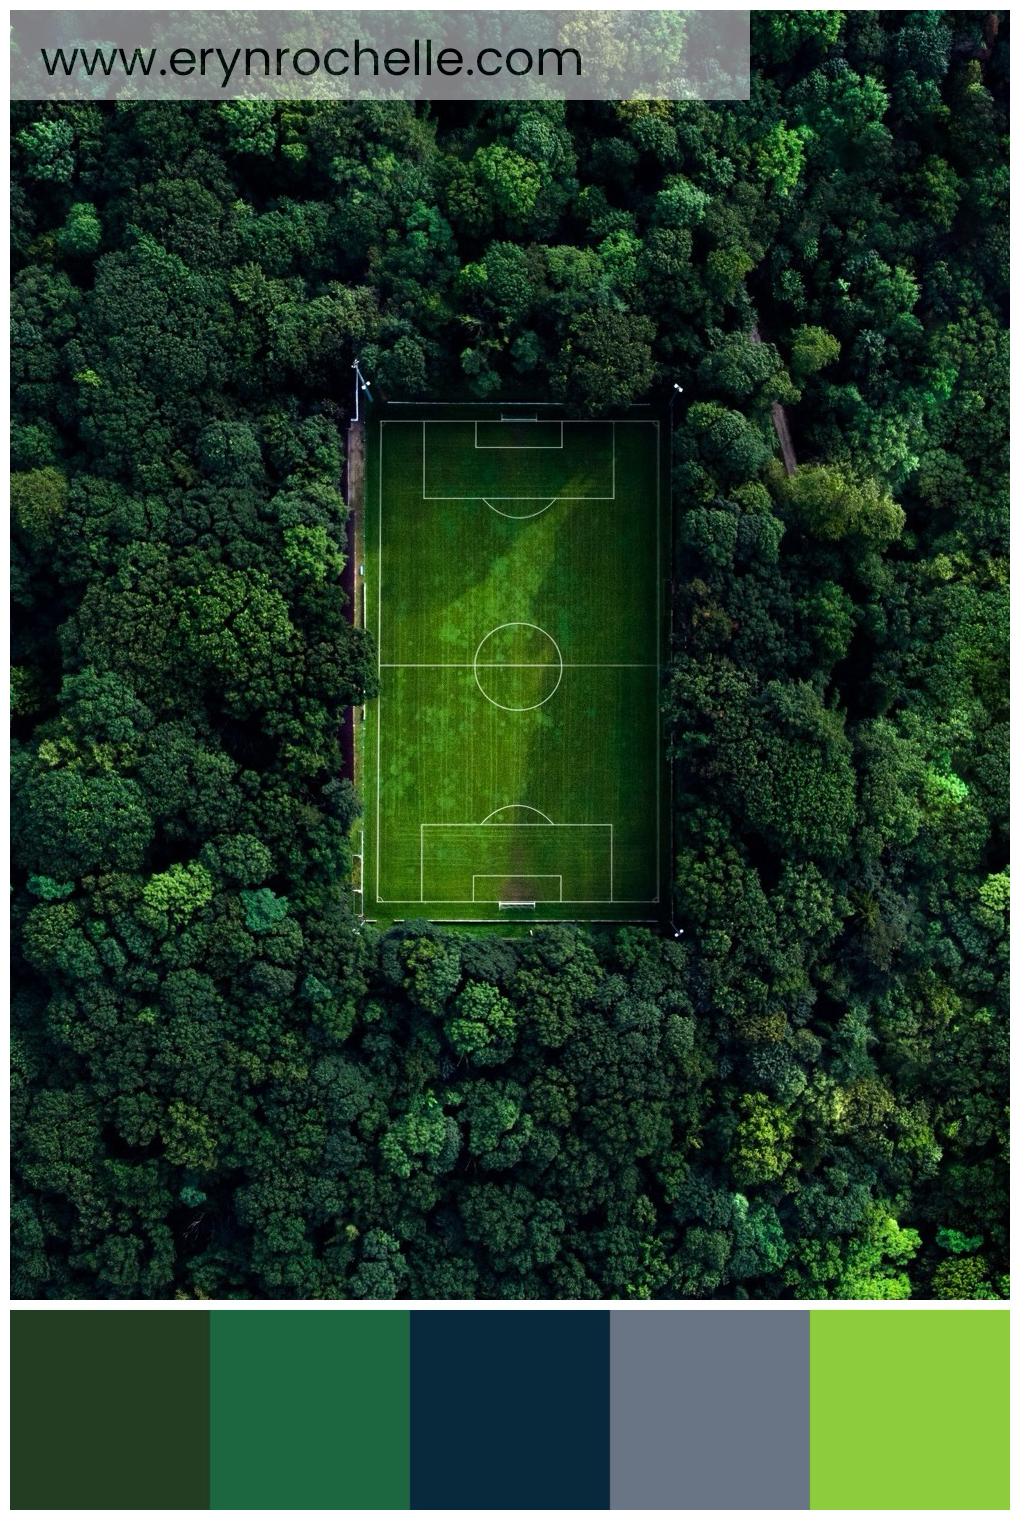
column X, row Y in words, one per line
column 510, row 1410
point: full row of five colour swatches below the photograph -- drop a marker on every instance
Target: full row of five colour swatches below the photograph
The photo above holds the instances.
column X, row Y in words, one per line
column 343, row 1408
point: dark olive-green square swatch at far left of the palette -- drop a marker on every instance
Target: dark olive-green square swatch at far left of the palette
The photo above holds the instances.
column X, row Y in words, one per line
column 109, row 1410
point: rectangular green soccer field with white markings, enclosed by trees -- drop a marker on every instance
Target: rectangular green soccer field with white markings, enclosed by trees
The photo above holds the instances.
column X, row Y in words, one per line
column 515, row 583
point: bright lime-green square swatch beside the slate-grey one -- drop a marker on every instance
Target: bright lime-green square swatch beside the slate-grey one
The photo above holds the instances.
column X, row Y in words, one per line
column 910, row 1410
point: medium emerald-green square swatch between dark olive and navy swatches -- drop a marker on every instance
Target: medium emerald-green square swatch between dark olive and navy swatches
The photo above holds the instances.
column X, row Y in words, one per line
column 311, row 1410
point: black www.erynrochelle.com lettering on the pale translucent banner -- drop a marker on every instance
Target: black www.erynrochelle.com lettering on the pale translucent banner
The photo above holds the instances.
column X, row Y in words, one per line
column 422, row 60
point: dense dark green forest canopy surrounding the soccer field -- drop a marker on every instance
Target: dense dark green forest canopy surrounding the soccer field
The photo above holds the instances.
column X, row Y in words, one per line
column 224, row 1085
